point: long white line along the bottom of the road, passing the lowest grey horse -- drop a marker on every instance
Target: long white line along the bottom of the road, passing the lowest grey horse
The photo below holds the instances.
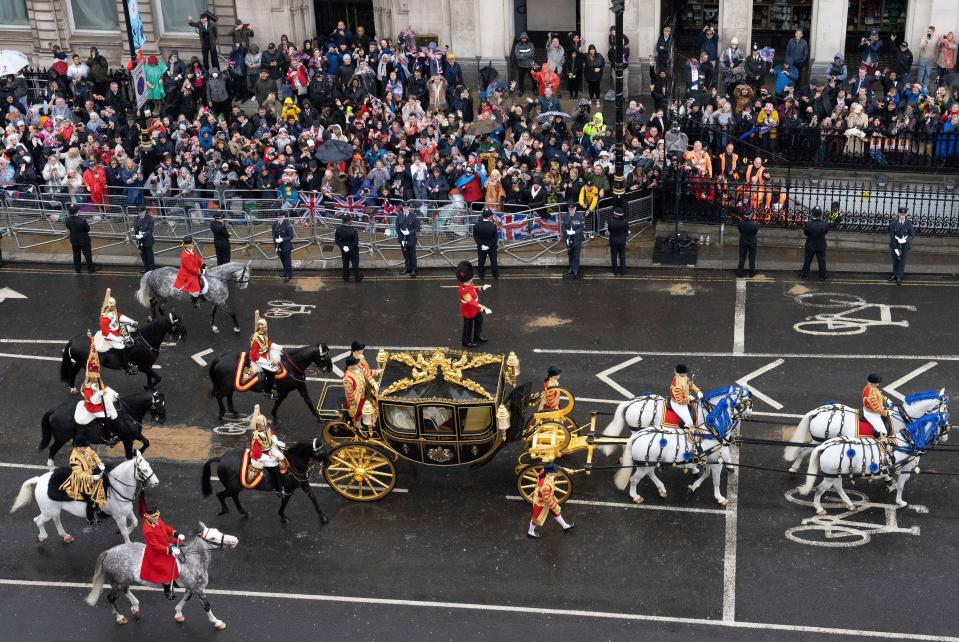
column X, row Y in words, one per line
column 531, row 610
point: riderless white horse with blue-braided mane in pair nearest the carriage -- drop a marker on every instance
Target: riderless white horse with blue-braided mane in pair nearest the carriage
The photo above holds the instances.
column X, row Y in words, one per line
column 649, row 447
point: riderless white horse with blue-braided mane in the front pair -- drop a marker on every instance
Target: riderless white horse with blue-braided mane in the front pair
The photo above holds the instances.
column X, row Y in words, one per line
column 865, row 457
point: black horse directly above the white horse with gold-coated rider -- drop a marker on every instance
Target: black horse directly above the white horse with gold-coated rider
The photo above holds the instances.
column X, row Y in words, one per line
column 58, row 425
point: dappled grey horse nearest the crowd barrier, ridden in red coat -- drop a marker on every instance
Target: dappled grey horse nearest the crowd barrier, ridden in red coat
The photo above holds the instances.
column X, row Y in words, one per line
column 157, row 285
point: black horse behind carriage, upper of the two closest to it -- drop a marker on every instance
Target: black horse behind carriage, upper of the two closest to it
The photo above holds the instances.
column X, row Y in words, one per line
column 223, row 372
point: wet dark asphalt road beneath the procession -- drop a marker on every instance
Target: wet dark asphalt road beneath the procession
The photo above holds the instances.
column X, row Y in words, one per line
column 455, row 536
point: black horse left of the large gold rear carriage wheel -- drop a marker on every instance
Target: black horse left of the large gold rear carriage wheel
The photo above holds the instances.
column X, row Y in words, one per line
column 300, row 457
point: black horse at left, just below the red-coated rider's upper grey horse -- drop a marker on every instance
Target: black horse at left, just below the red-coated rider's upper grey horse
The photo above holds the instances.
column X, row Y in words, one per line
column 143, row 353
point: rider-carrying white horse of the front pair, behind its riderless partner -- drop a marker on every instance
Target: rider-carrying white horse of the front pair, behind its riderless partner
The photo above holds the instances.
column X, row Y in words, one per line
column 837, row 420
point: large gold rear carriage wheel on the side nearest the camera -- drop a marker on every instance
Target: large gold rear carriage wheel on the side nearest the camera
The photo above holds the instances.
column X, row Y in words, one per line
column 360, row 472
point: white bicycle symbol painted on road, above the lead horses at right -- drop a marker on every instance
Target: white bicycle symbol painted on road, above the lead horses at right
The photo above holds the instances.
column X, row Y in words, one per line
column 856, row 315
